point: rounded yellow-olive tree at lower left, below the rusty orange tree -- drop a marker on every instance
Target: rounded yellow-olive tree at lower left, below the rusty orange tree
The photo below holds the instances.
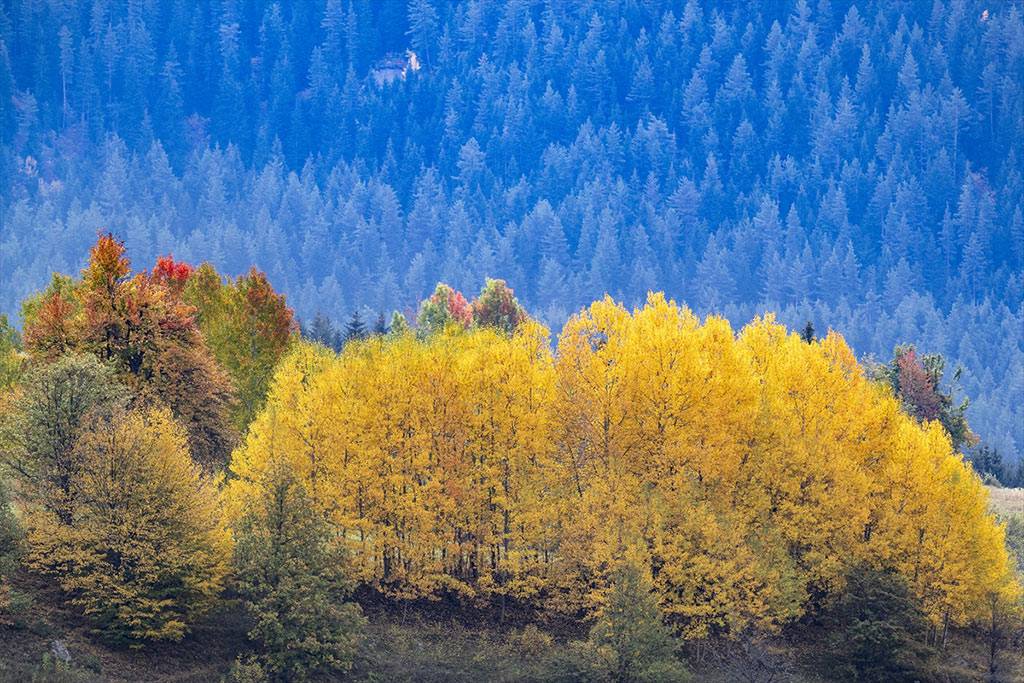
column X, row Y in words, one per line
column 146, row 552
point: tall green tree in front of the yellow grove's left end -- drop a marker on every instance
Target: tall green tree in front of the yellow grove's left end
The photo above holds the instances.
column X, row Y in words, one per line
column 291, row 573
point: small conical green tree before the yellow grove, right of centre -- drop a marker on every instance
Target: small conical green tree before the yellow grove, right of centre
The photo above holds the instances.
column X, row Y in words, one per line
column 630, row 634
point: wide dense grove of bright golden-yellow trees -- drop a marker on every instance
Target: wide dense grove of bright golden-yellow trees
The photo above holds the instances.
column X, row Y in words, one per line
column 747, row 472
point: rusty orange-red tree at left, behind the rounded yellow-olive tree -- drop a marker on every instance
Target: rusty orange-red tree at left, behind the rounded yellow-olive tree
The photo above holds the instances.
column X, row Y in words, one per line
column 141, row 327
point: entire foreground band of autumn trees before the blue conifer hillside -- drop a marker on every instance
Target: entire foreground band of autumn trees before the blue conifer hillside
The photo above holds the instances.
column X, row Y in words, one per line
column 677, row 492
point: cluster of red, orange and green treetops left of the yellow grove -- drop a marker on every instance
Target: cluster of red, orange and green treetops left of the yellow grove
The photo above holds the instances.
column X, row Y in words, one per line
column 179, row 336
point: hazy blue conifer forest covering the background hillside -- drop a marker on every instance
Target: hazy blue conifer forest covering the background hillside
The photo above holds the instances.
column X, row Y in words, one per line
column 857, row 165
